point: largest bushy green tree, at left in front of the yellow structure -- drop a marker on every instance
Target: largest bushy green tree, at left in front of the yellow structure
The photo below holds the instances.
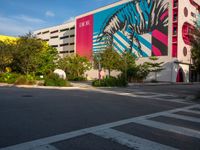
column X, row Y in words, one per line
column 33, row 55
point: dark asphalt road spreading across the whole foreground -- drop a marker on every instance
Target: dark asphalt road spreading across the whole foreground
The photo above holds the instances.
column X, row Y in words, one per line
column 32, row 114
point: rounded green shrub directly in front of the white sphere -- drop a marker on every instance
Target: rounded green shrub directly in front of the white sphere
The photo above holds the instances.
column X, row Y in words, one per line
column 55, row 80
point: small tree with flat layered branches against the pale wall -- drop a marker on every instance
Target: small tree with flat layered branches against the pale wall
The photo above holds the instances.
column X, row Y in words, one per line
column 154, row 66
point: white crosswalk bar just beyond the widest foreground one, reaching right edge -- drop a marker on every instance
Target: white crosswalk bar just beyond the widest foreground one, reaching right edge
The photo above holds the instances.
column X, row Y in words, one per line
column 168, row 127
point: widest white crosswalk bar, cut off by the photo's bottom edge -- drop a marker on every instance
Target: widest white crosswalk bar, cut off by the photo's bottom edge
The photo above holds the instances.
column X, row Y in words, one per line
column 131, row 141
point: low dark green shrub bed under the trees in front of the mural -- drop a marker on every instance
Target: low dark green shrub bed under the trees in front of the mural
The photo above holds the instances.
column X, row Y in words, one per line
column 110, row 82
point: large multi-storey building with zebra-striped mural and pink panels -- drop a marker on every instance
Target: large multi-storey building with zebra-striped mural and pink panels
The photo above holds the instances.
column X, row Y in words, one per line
column 142, row 27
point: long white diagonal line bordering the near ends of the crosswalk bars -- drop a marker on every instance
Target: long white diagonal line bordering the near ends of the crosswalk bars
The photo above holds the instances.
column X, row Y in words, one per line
column 69, row 135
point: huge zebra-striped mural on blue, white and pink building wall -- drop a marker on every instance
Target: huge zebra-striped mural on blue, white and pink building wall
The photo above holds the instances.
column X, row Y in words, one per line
column 138, row 26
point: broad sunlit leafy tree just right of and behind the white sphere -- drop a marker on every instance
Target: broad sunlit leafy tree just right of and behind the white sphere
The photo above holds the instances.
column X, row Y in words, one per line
column 75, row 66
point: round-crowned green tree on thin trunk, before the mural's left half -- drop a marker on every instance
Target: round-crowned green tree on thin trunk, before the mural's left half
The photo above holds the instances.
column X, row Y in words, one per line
column 110, row 60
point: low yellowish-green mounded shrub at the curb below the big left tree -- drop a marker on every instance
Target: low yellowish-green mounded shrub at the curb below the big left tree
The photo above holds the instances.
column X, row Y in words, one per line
column 25, row 80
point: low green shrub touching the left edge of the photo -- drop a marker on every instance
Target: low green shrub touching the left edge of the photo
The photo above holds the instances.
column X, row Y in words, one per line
column 8, row 77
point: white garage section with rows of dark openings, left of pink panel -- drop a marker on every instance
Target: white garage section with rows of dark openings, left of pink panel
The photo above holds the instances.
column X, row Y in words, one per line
column 62, row 37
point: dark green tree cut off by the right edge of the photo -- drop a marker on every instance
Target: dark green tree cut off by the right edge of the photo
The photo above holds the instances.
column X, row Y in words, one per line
column 195, row 42
